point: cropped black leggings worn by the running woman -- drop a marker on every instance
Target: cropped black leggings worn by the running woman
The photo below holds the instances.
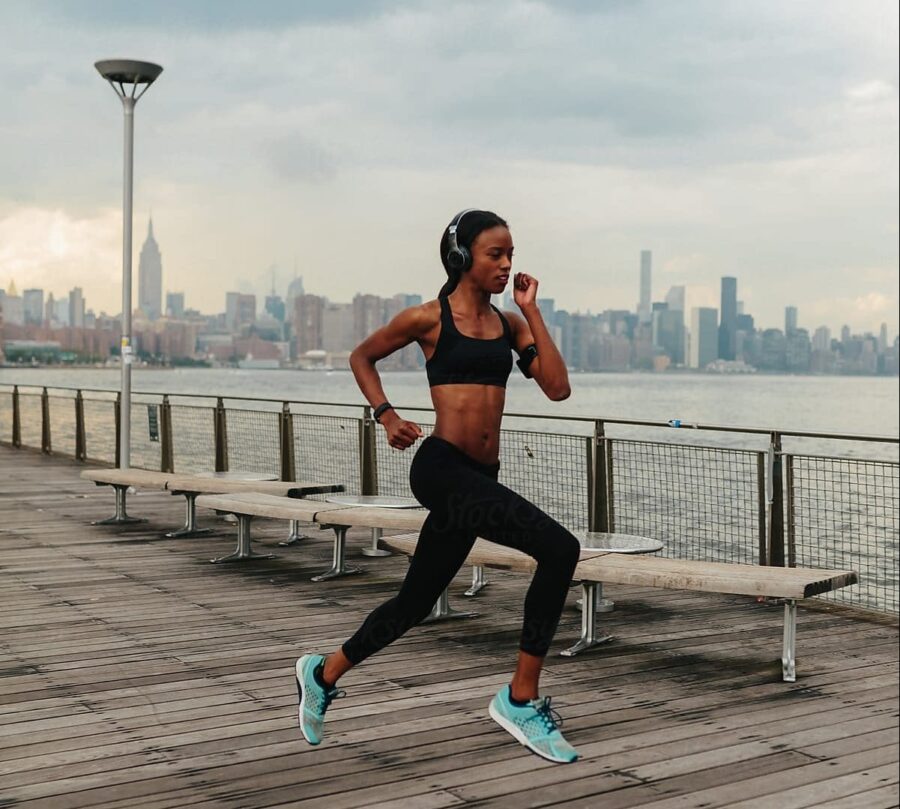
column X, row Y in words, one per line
column 466, row 501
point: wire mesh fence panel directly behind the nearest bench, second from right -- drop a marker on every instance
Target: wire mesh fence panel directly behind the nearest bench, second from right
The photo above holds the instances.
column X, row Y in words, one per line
column 703, row 502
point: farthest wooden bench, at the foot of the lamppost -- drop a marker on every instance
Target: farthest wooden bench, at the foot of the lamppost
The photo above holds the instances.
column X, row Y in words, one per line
column 190, row 487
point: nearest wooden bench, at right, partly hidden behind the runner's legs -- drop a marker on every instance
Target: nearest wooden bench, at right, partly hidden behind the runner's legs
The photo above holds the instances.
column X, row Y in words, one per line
column 597, row 567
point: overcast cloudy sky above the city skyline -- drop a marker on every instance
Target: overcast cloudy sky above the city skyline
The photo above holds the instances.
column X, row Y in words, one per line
column 336, row 139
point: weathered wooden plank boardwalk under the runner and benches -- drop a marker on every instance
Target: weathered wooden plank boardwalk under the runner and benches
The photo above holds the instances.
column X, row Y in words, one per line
column 137, row 675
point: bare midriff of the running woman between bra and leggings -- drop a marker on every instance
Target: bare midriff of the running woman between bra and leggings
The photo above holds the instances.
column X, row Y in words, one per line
column 469, row 416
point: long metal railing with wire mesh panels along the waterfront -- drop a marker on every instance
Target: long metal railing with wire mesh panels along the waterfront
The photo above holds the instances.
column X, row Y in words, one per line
column 759, row 504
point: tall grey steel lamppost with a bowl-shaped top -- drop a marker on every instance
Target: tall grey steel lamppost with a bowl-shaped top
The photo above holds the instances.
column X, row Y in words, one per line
column 126, row 76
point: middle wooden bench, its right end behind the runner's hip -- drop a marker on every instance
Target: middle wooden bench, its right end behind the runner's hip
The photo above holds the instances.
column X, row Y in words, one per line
column 328, row 515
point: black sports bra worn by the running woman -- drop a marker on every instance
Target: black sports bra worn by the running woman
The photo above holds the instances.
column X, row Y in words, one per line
column 461, row 360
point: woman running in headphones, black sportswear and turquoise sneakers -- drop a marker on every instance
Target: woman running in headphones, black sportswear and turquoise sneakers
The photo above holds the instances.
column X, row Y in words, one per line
column 468, row 346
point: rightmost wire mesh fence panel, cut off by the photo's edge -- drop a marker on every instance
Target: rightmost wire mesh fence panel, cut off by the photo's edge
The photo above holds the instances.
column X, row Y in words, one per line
column 844, row 514
